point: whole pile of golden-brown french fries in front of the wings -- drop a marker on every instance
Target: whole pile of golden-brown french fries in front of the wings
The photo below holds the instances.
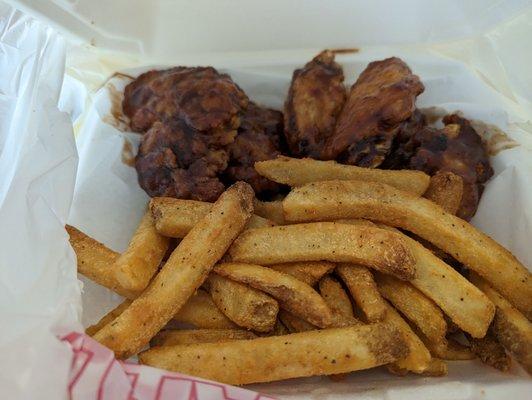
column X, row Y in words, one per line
column 348, row 272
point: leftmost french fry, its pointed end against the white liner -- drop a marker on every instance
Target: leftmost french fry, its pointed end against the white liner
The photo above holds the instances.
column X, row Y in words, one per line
column 95, row 261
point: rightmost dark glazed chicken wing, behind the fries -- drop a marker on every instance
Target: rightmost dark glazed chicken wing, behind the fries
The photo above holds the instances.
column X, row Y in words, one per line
column 456, row 148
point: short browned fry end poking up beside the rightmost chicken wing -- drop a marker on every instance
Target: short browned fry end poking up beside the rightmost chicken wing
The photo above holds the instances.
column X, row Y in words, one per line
column 446, row 190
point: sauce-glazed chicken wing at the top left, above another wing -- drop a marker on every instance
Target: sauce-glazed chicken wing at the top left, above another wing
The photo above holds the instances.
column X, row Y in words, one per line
column 200, row 96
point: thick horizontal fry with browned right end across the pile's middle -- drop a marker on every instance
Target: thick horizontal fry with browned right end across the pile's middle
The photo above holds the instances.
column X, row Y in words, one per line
column 369, row 246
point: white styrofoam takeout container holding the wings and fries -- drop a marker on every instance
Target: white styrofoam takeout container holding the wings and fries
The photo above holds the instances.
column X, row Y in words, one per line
column 491, row 36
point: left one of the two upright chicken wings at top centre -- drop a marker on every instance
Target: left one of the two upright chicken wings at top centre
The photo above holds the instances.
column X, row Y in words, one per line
column 315, row 99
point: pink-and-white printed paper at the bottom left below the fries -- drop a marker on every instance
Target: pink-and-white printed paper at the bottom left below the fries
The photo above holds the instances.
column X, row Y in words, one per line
column 96, row 374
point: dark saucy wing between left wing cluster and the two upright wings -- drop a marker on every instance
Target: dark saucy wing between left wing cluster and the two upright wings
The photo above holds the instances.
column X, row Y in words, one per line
column 259, row 138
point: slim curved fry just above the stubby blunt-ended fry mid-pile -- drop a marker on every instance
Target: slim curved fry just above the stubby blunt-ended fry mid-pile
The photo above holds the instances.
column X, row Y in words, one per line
column 292, row 294
